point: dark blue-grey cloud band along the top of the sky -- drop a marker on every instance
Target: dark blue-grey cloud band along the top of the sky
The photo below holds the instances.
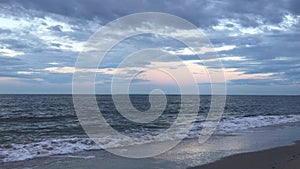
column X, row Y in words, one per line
column 202, row 13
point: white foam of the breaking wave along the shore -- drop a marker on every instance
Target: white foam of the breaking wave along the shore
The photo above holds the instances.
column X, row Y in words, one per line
column 18, row 152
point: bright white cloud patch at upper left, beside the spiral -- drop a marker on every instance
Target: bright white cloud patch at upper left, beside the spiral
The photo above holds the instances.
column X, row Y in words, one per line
column 32, row 31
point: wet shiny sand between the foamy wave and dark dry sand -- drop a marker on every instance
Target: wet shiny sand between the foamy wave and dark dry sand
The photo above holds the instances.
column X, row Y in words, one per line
column 185, row 155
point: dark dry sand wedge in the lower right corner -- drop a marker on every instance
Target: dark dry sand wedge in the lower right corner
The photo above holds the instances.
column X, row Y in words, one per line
column 287, row 157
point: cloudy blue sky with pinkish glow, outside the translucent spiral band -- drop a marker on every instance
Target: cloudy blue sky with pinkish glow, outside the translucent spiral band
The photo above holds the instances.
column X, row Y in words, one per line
column 257, row 41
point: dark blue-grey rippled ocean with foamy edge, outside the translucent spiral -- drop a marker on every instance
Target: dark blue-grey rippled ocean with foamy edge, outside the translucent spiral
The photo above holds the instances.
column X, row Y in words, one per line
column 35, row 126
